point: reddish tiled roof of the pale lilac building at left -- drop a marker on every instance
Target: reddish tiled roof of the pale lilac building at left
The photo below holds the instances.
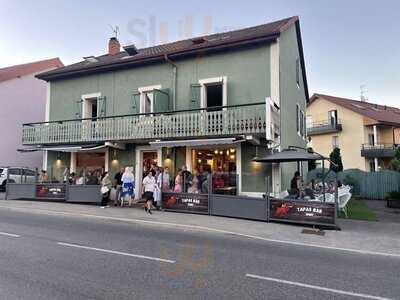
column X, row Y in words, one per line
column 29, row 68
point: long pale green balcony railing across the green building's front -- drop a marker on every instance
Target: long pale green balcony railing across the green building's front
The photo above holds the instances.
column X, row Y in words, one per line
column 216, row 121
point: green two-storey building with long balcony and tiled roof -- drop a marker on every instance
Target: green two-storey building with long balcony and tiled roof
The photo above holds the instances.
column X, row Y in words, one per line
column 212, row 103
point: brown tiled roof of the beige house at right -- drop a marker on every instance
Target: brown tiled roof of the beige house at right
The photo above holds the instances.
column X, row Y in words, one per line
column 379, row 113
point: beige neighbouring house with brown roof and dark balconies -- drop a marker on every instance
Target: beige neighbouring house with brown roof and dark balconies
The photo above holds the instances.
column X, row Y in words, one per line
column 366, row 133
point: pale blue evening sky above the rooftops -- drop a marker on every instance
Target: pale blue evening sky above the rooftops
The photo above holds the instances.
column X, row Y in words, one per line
column 347, row 43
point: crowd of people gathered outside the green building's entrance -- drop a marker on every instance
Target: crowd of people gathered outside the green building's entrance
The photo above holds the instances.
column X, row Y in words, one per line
column 122, row 188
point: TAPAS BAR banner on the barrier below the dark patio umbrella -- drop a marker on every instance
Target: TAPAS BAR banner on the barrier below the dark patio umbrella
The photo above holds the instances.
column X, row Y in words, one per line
column 302, row 211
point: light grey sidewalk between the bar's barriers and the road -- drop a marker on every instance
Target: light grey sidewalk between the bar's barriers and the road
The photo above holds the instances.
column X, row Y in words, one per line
column 381, row 238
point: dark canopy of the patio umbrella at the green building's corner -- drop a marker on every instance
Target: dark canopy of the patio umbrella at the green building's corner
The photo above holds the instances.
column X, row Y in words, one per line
column 289, row 155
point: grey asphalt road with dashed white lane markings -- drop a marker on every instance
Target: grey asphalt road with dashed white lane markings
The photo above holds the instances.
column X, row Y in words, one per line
column 60, row 257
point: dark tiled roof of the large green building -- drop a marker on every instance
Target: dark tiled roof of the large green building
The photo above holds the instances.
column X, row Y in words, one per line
column 184, row 47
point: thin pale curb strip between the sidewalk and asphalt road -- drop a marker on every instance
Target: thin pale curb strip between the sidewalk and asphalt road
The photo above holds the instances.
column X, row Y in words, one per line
column 203, row 228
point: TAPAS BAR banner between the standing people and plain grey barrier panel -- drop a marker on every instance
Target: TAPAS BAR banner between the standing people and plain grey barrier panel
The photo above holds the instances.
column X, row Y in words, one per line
column 196, row 203
